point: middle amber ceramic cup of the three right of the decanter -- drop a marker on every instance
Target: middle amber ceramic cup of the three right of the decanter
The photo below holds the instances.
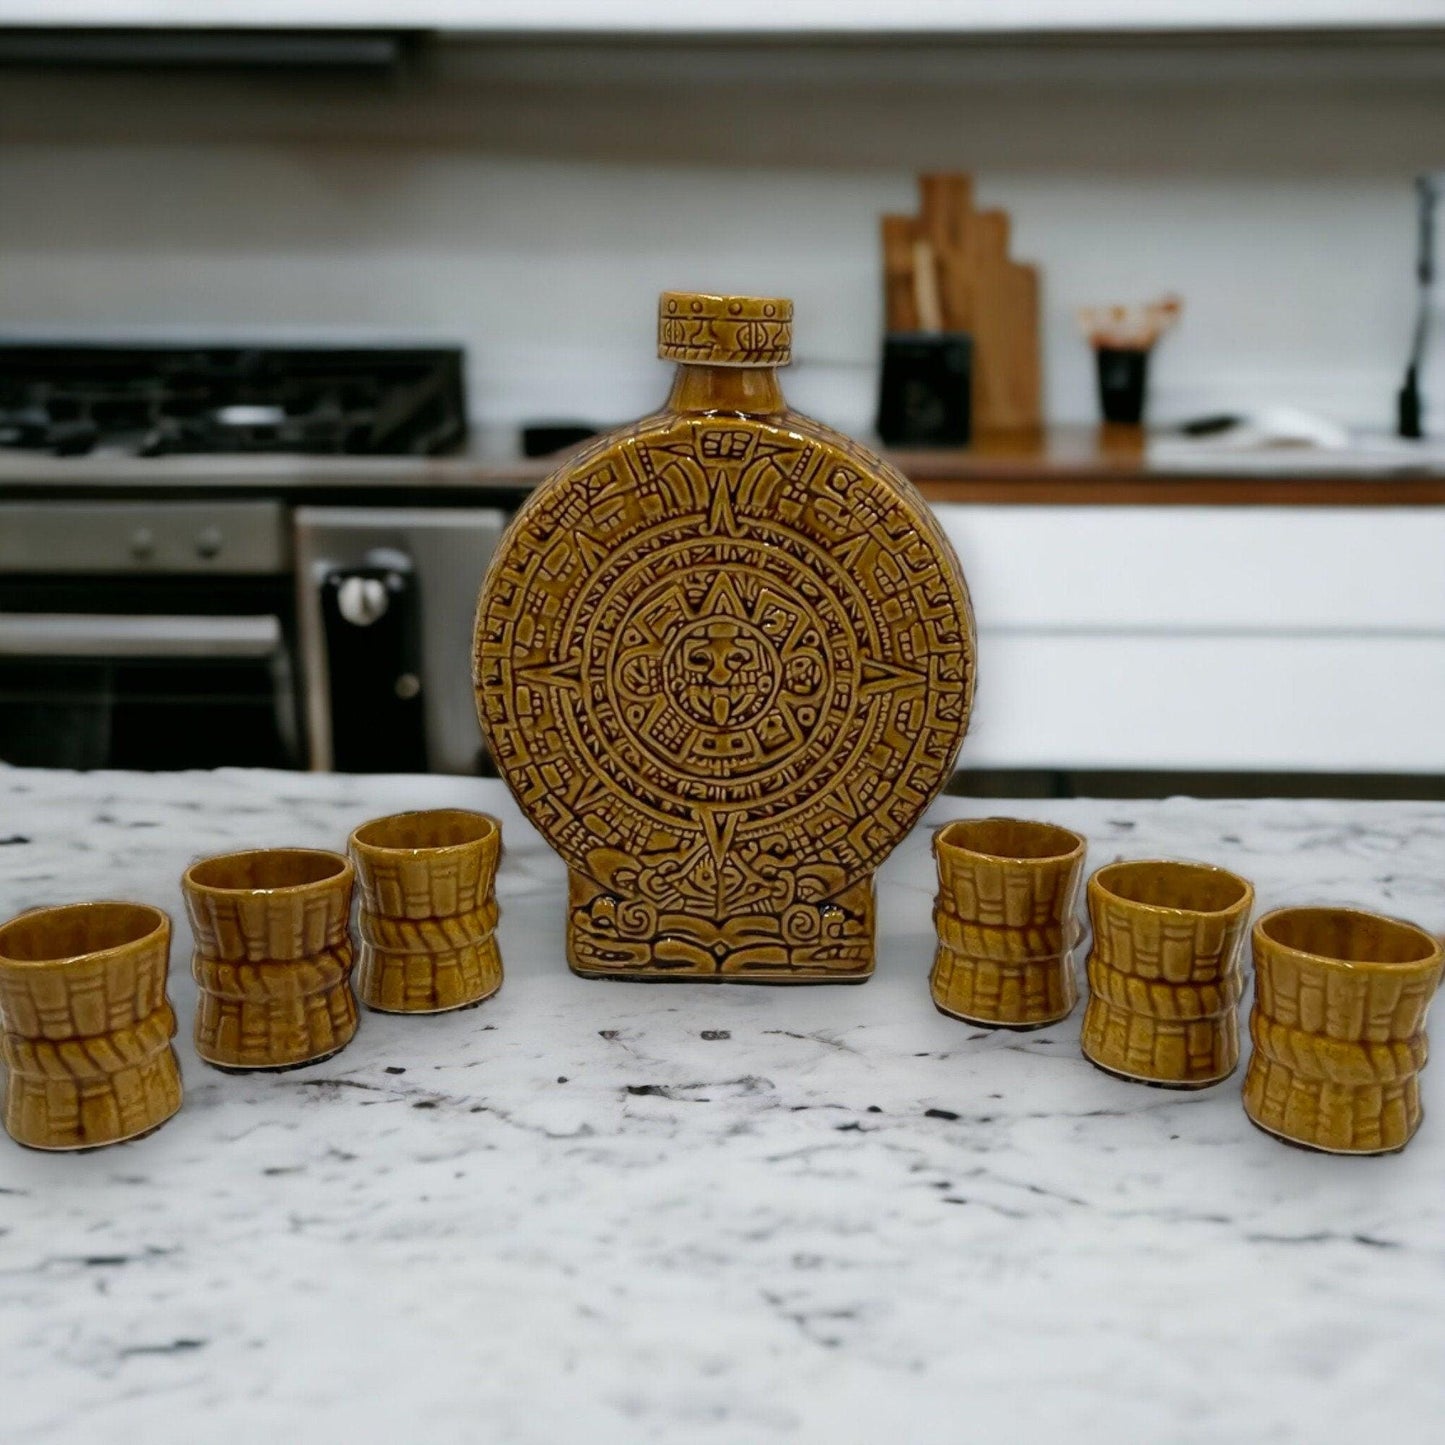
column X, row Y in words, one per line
column 1164, row 973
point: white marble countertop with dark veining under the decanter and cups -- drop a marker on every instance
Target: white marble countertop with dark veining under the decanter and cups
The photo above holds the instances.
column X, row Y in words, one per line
column 596, row 1212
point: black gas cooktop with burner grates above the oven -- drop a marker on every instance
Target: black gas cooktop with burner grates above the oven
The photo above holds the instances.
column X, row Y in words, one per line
column 168, row 401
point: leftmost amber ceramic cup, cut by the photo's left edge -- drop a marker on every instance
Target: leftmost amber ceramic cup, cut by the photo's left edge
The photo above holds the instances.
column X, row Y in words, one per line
column 86, row 1025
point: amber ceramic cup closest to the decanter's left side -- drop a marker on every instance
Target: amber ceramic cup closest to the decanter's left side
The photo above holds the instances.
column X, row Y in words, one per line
column 428, row 911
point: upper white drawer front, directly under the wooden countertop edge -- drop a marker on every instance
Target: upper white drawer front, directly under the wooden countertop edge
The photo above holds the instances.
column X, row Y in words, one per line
column 1203, row 569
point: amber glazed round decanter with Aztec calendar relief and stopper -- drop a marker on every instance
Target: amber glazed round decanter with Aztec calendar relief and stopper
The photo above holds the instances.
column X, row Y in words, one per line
column 725, row 660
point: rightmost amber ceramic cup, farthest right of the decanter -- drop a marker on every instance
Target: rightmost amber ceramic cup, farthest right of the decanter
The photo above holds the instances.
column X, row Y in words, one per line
column 1339, row 1028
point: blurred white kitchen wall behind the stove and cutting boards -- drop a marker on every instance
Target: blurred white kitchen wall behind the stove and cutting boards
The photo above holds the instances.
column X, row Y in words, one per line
column 531, row 202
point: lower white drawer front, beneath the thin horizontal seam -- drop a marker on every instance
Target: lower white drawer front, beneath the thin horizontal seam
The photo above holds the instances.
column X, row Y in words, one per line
column 1290, row 704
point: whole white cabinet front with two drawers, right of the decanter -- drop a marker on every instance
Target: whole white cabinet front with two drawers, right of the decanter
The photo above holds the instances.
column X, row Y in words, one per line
column 1206, row 638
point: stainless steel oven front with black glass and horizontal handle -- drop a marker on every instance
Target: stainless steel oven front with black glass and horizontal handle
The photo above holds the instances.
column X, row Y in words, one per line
column 148, row 635
